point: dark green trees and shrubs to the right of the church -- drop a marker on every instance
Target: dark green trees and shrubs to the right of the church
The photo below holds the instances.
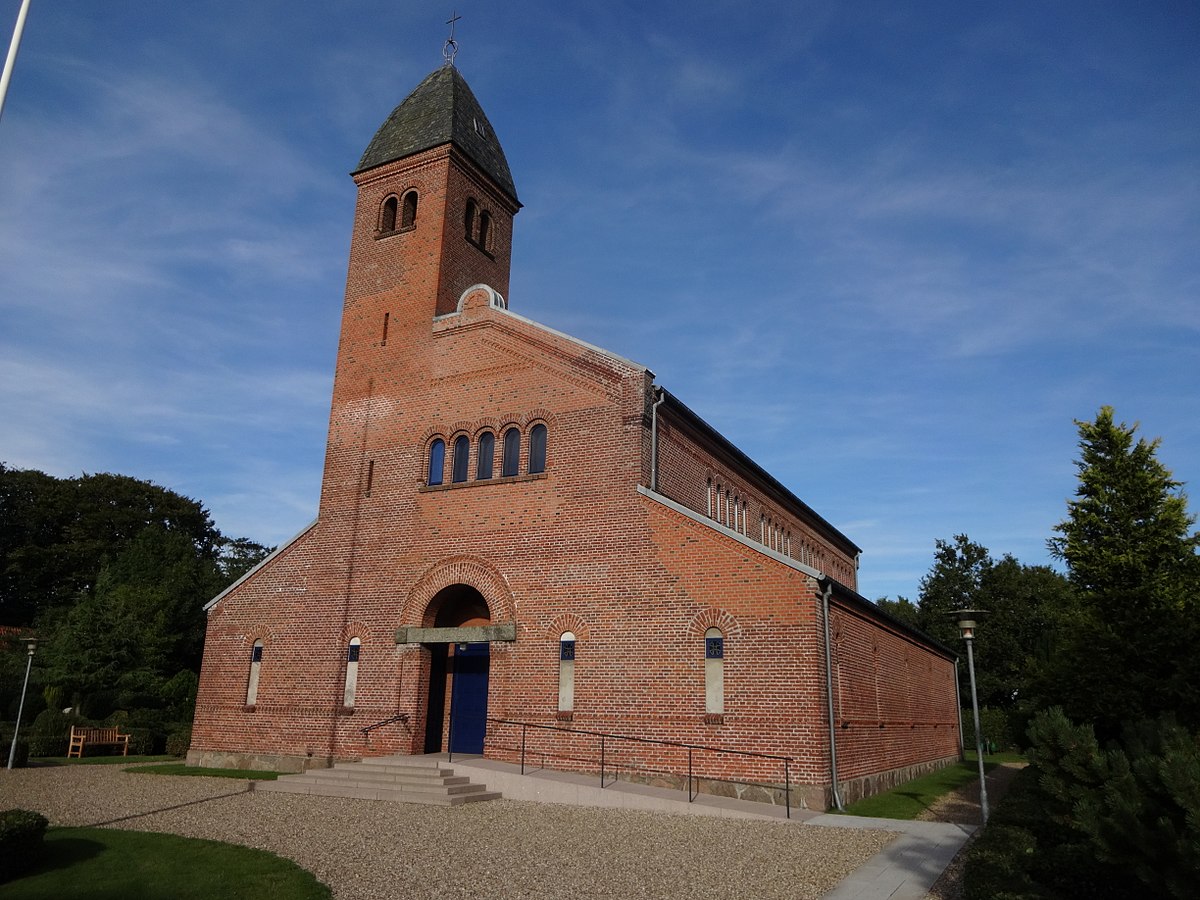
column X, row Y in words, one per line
column 1096, row 674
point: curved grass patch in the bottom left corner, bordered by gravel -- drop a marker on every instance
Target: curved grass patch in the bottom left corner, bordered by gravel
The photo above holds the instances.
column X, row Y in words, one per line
column 109, row 865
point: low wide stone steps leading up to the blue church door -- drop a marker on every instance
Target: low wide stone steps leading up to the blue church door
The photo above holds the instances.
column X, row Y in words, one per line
column 399, row 779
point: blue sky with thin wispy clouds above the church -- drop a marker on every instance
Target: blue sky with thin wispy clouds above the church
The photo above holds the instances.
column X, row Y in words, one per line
column 890, row 250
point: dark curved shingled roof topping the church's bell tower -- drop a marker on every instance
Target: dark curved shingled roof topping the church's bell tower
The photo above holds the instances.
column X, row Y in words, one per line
column 441, row 111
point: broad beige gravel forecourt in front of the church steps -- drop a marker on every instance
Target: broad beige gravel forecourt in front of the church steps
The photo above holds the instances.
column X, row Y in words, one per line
column 508, row 849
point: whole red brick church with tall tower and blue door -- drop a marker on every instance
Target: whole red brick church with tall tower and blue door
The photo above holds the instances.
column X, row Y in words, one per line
column 524, row 541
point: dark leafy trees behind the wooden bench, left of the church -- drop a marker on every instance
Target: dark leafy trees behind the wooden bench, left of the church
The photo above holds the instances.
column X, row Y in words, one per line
column 112, row 574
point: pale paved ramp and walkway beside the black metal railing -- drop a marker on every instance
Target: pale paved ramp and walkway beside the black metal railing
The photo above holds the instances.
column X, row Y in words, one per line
column 904, row 871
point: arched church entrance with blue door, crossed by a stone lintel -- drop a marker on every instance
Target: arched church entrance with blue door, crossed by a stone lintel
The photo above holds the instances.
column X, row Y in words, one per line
column 457, row 712
